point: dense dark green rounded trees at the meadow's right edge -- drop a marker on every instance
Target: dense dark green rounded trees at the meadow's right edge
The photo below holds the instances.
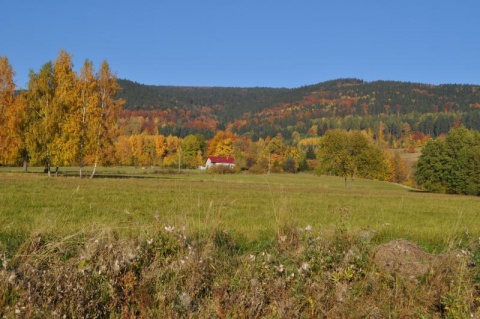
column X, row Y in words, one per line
column 451, row 164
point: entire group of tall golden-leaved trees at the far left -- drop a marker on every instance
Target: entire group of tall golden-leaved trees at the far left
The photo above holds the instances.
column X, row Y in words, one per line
column 62, row 118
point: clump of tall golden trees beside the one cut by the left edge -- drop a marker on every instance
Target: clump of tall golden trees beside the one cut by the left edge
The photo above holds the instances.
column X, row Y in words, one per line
column 71, row 118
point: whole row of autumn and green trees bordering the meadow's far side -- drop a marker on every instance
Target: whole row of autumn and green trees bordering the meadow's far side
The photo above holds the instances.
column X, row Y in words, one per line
column 65, row 118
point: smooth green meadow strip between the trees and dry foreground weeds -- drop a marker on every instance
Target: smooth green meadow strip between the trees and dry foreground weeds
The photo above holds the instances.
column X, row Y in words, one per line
column 251, row 207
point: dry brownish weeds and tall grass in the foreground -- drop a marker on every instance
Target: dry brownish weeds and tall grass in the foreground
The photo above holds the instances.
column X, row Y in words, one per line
column 169, row 274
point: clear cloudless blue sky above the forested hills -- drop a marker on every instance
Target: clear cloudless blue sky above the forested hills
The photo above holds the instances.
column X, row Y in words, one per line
column 249, row 43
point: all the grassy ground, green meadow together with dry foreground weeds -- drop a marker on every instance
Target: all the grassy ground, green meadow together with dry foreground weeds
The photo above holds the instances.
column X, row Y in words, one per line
column 169, row 244
